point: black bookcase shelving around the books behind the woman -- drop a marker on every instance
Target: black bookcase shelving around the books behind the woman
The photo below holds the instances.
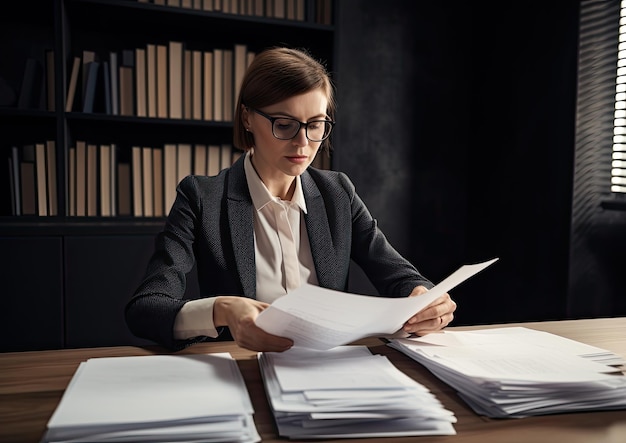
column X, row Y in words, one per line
column 105, row 27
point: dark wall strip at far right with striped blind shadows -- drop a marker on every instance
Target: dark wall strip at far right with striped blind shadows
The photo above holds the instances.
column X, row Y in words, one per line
column 598, row 225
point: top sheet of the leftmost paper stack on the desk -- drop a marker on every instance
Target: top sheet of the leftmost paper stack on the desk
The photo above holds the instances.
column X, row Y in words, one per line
column 105, row 378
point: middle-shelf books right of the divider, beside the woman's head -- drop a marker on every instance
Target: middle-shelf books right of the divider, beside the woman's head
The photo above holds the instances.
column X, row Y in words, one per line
column 159, row 81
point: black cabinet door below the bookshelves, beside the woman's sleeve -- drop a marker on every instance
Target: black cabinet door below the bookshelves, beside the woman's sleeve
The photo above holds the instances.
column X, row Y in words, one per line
column 102, row 272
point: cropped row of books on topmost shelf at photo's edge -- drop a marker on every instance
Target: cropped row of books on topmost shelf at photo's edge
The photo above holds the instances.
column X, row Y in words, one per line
column 282, row 9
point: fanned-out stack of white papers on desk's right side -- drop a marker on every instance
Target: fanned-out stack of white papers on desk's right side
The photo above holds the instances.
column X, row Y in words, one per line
column 520, row 372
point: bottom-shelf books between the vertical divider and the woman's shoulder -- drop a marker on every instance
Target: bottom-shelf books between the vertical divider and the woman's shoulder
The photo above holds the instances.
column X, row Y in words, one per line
column 104, row 183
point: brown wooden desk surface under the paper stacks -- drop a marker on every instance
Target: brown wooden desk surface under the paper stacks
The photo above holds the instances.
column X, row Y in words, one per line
column 32, row 383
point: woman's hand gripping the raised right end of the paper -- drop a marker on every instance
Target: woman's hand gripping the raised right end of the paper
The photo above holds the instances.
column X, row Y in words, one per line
column 433, row 317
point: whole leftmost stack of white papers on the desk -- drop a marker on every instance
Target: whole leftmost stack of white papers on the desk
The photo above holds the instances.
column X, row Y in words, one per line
column 155, row 399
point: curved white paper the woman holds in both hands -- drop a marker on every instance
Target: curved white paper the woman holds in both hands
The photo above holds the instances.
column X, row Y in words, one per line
column 319, row 318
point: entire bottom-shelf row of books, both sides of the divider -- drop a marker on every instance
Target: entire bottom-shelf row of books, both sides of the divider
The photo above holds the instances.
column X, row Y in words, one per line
column 106, row 181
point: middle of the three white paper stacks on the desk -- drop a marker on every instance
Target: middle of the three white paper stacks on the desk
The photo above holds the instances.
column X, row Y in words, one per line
column 348, row 392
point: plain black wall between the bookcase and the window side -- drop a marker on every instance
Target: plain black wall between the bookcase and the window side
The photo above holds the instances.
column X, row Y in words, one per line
column 456, row 122
